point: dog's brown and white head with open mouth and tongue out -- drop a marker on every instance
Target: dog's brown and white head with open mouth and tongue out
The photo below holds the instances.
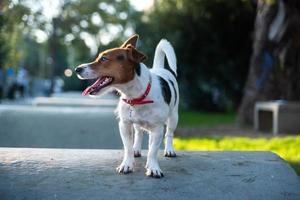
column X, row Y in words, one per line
column 113, row 66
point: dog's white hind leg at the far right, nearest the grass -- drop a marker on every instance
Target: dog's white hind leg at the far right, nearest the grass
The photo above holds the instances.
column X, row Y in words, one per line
column 171, row 126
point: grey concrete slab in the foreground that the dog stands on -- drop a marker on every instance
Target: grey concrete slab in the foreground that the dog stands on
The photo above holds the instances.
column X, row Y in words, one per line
column 90, row 174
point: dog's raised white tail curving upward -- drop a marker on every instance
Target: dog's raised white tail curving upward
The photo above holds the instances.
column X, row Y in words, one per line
column 164, row 48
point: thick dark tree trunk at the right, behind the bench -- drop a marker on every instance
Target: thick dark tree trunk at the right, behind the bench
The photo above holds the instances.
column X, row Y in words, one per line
column 274, row 71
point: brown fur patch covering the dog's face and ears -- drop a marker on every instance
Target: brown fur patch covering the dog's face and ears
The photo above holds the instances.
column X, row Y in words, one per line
column 119, row 63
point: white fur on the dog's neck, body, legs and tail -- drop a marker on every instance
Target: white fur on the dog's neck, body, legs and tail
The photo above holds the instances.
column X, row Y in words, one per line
column 149, row 117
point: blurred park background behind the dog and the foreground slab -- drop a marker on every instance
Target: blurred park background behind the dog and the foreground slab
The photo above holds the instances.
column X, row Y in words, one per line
column 231, row 55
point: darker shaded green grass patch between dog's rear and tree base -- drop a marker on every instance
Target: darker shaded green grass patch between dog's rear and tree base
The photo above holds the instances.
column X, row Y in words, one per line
column 203, row 119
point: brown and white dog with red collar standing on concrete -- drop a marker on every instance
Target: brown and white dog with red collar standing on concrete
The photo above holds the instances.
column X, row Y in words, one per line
column 149, row 98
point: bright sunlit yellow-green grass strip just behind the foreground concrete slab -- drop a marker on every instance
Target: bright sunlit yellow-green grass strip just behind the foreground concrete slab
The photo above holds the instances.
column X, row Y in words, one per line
column 287, row 148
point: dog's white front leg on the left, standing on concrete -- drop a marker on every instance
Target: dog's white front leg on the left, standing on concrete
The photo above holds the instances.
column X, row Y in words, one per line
column 127, row 139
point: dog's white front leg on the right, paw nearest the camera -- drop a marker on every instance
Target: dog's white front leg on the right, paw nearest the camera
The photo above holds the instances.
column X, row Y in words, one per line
column 155, row 139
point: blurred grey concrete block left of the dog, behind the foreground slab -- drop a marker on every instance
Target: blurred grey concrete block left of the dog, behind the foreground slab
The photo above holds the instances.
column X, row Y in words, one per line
column 59, row 127
